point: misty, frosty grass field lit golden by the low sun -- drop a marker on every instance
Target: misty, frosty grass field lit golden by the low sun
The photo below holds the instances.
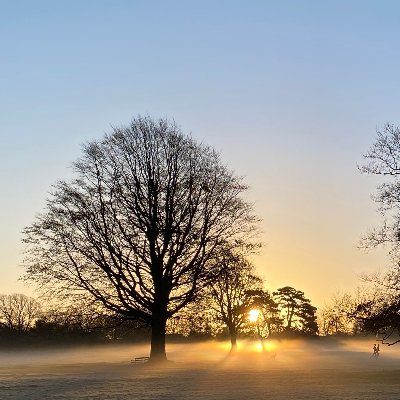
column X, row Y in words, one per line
column 287, row 370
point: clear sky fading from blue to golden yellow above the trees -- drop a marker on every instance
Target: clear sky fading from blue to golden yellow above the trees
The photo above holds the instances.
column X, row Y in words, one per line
column 290, row 93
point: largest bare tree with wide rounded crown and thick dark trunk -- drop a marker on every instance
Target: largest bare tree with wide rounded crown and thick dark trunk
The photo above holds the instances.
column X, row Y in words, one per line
column 139, row 226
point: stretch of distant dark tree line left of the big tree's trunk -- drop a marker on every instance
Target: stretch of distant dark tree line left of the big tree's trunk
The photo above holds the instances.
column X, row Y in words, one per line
column 23, row 320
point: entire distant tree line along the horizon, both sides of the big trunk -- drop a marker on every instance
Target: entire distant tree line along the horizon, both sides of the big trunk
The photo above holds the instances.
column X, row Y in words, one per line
column 223, row 312
